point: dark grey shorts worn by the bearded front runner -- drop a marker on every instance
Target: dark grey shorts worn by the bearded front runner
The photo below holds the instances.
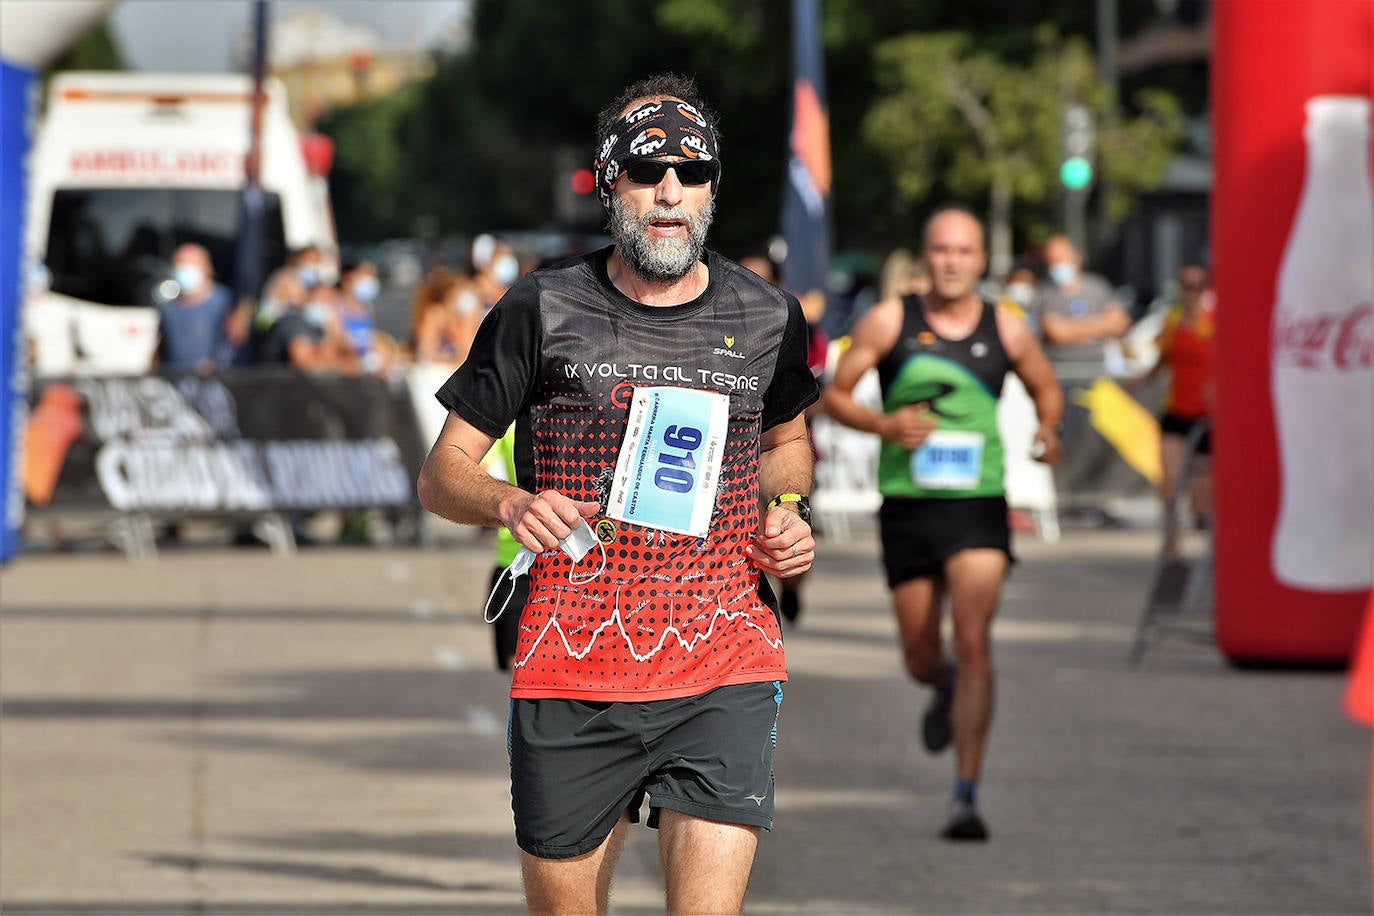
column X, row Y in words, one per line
column 578, row 766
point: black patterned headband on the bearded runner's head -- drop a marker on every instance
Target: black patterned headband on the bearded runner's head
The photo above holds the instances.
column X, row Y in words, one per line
column 653, row 130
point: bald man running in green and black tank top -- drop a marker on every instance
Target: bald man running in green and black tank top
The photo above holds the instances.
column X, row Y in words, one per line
column 942, row 360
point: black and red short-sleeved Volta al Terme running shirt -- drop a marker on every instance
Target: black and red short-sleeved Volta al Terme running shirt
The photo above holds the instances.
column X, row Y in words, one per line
column 561, row 355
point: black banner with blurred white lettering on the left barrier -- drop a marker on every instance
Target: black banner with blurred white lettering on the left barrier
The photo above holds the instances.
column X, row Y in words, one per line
column 243, row 443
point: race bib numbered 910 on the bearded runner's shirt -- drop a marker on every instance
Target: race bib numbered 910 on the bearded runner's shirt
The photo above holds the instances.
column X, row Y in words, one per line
column 670, row 461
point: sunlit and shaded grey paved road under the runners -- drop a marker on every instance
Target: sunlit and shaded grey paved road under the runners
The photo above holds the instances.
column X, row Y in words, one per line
column 234, row 733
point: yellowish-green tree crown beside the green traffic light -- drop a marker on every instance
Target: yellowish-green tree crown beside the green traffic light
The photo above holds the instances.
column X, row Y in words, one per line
column 947, row 113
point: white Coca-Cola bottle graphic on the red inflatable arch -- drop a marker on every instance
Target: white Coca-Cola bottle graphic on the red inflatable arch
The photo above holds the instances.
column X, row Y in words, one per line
column 1324, row 360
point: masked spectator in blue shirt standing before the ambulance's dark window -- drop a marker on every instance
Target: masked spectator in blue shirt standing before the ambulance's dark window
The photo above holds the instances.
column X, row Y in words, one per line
column 197, row 330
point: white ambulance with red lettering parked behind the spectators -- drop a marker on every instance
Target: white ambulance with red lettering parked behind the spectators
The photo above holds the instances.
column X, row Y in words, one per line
column 127, row 167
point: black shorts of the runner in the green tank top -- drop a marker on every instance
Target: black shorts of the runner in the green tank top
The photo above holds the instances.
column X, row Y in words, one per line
column 920, row 535
